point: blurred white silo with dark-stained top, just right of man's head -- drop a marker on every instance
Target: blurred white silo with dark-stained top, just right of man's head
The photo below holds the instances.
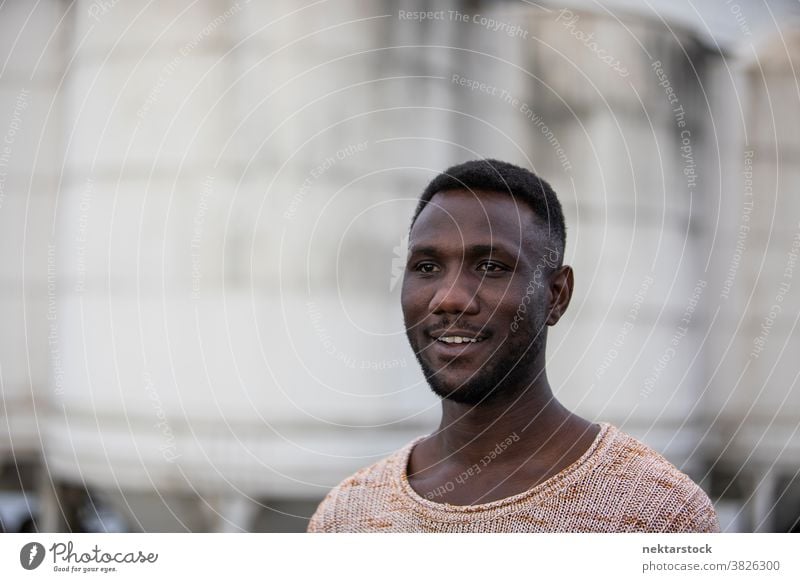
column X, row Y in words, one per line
column 617, row 126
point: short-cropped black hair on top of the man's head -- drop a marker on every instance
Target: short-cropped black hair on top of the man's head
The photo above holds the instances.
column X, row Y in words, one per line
column 497, row 176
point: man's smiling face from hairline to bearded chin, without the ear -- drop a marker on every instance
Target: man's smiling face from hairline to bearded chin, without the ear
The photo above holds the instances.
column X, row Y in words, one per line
column 476, row 293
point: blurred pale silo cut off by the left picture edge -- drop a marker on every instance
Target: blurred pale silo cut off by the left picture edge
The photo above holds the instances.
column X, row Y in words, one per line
column 32, row 39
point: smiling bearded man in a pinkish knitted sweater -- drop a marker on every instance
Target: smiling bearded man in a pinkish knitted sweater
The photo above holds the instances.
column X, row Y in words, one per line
column 484, row 279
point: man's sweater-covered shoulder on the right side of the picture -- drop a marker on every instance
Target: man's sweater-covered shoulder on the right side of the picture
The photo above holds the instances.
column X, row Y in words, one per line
column 653, row 494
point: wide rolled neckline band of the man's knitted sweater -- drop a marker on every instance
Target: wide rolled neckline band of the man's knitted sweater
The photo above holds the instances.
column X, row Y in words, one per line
column 573, row 472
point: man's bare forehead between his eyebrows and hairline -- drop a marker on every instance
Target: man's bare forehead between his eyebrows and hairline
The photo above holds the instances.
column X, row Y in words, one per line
column 480, row 216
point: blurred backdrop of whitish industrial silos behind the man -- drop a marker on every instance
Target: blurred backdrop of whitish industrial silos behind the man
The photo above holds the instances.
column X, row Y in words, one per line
column 202, row 217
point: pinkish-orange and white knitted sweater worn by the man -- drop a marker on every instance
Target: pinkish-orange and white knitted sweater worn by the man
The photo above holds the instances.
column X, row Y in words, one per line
column 618, row 485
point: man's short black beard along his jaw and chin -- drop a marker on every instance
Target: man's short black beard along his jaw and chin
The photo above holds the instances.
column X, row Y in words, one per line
column 506, row 375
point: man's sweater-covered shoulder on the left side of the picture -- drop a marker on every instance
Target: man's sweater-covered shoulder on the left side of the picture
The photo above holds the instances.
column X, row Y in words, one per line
column 360, row 495
